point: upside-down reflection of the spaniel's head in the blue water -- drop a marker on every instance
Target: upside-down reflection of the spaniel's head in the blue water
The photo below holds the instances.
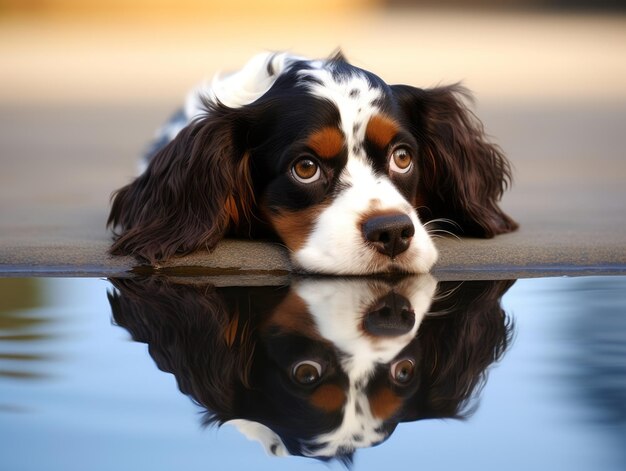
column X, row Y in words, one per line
column 323, row 366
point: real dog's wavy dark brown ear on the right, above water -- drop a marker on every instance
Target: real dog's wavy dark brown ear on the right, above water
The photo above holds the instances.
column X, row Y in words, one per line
column 462, row 175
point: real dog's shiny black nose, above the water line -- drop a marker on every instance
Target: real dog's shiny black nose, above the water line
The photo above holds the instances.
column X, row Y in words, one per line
column 390, row 233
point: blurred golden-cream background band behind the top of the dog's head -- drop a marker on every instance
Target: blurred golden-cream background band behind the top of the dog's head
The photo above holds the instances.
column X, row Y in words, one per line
column 138, row 51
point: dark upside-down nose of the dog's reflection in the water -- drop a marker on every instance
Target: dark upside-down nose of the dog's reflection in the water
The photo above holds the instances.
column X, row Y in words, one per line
column 391, row 316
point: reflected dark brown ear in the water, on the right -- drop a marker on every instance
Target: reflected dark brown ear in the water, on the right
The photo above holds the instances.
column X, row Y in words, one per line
column 467, row 331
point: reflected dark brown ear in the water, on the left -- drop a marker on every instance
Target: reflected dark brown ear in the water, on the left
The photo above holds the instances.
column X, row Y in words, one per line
column 187, row 329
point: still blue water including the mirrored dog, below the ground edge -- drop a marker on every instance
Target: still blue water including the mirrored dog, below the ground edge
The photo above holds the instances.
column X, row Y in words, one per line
column 137, row 373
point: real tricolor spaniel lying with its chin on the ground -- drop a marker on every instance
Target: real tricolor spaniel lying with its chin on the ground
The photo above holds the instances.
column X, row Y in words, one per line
column 346, row 170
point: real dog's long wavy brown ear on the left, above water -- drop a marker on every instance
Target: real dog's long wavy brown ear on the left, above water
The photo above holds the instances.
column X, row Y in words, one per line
column 194, row 189
